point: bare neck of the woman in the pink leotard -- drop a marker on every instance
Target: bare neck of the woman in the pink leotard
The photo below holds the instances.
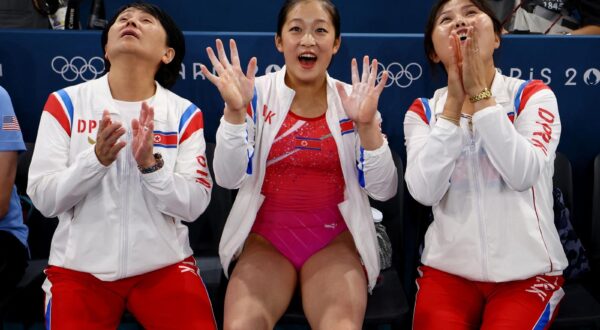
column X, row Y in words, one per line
column 310, row 99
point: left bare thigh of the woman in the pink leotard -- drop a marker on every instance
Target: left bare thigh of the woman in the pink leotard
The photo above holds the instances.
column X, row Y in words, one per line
column 260, row 288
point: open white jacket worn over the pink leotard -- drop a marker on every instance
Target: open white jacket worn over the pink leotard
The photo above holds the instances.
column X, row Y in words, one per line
column 240, row 162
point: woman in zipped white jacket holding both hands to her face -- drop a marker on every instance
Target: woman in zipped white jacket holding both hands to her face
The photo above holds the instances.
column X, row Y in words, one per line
column 481, row 153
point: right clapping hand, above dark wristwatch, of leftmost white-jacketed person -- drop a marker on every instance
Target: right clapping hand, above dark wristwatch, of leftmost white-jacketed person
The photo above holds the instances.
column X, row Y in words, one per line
column 143, row 137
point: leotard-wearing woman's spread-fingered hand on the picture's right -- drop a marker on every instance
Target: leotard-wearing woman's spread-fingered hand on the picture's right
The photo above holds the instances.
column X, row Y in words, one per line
column 361, row 104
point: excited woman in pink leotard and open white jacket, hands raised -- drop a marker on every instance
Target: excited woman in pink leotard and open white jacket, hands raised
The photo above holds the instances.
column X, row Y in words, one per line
column 305, row 152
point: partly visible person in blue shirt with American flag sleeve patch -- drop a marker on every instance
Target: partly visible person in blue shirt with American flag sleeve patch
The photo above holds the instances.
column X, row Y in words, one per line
column 13, row 233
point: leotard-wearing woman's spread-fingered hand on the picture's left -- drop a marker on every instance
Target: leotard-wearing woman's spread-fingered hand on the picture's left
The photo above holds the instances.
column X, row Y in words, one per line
column 236, row 88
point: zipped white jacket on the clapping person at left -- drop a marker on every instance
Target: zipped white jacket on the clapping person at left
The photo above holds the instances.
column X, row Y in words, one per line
column 115, row 222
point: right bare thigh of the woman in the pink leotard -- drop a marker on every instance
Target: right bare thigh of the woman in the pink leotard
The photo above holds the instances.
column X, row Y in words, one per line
column 334, row 286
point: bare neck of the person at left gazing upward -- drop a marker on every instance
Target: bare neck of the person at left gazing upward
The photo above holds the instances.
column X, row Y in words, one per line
column 131, row 82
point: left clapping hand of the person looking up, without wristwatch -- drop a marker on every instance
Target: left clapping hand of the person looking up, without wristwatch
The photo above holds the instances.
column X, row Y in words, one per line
column 107, row 140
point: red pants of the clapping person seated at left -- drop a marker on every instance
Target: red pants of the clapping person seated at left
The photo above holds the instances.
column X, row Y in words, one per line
column 173, row 297
